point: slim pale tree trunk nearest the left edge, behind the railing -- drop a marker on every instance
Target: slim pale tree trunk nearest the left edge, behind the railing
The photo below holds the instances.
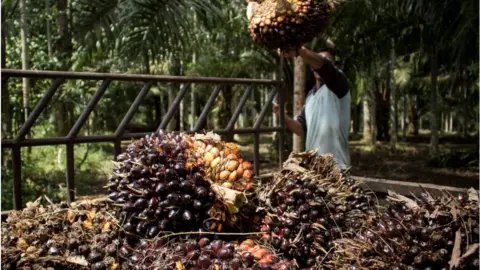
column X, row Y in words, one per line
column 24, row 36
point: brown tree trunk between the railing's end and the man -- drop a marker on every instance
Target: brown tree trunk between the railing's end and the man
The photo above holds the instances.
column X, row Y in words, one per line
column 299, row 98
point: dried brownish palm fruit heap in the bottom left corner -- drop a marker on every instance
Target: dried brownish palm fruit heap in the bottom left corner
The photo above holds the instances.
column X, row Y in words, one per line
column 79, row 236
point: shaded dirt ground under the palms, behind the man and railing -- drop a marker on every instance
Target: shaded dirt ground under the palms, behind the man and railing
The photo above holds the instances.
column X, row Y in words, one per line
column 410, row 160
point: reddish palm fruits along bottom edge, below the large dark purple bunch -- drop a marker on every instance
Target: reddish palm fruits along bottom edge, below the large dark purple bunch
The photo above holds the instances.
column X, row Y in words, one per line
column 202, row 253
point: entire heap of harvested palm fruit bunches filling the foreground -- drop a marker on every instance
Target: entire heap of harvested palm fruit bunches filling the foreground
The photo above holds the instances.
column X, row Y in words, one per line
column 178, row 201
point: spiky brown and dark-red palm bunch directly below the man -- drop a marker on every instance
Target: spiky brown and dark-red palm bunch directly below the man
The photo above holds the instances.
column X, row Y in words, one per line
column 312, row 205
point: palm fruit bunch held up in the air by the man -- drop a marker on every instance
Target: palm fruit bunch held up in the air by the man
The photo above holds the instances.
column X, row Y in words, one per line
column 287, row 24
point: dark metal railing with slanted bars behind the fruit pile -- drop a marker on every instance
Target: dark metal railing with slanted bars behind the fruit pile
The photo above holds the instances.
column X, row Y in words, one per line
column 58, row 78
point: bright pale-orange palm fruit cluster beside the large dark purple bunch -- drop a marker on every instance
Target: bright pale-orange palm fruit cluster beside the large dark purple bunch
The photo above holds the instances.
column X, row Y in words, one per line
column 222, row 163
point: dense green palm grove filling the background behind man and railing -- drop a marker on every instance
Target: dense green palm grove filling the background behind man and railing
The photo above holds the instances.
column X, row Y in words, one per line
column 412, row 65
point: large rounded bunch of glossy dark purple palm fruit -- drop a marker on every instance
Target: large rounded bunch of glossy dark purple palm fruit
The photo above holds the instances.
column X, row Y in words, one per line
column 153, row 190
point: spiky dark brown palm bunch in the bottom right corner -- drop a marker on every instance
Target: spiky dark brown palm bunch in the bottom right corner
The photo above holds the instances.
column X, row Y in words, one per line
column 417, row 233
